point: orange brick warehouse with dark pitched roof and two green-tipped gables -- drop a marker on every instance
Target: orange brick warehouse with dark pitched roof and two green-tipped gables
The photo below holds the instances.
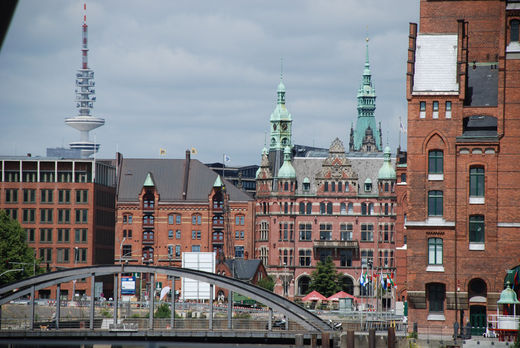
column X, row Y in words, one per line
column 169, row 206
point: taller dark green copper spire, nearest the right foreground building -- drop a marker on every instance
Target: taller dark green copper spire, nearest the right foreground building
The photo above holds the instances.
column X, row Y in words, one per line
column 366, row 107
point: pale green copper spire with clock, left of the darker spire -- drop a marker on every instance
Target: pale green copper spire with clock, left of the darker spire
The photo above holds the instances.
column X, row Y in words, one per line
column 281, row 121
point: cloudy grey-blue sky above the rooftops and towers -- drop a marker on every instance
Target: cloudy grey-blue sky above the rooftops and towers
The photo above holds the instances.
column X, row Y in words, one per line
column 203, row 74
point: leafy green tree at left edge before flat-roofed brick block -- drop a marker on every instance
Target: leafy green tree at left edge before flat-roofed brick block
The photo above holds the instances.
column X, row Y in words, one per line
column 14, row 251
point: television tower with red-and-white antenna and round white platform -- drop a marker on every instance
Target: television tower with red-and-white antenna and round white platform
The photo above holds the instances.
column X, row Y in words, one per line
column 84, row 121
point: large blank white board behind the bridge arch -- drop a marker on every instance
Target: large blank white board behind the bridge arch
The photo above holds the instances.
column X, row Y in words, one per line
column 200, row 261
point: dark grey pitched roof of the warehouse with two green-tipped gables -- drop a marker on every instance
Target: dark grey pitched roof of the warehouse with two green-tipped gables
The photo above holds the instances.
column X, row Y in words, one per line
column 168, row 177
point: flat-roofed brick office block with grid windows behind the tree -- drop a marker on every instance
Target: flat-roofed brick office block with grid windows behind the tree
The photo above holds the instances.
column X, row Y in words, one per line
column 66, row 207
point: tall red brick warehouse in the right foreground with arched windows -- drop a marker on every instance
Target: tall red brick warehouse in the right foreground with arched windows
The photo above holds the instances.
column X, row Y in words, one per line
column 462, row 220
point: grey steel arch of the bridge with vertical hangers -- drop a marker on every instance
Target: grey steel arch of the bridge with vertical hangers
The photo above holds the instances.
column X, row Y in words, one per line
column 292, row 311
